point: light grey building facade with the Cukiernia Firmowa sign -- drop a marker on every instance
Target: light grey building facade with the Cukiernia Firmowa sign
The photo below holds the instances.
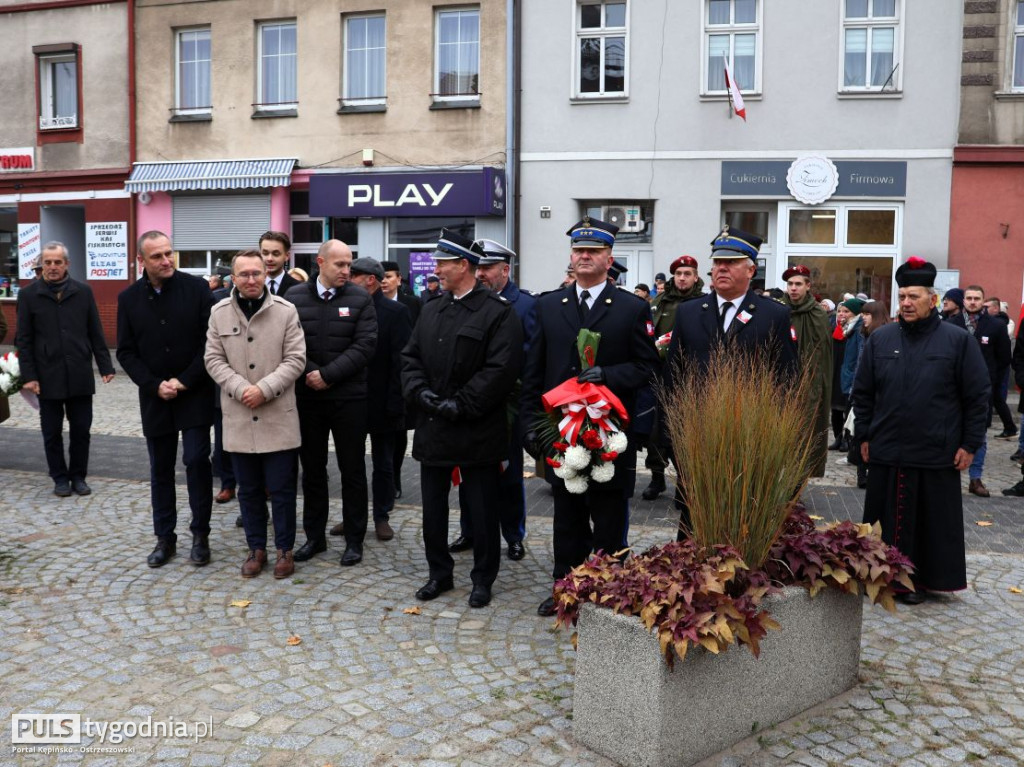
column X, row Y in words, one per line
column 843, row 163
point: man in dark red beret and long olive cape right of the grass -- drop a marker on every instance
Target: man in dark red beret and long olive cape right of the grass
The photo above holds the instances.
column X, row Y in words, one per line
column 810, row 327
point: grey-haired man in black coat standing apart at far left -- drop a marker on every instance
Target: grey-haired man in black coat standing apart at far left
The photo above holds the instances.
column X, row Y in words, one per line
column 59, row 334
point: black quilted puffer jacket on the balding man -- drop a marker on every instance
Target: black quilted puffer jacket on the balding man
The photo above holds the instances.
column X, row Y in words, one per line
column 342, row 336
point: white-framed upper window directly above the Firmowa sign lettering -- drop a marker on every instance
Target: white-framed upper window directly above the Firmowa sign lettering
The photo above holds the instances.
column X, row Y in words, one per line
column 871, row 46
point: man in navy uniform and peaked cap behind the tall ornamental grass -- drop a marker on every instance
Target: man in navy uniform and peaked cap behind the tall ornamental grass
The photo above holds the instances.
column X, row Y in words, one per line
column 734, row 317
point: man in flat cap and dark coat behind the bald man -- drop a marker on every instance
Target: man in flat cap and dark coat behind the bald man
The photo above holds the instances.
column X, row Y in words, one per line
column 385, row 402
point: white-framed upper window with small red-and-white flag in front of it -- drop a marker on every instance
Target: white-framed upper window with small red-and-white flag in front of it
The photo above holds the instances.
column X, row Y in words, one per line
column 732, row 33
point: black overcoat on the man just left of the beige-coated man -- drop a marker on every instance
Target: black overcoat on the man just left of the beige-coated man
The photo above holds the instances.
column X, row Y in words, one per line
column 163, row 336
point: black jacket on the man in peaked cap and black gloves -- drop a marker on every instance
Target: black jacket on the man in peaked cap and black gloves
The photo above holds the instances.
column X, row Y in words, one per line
column 471, row 351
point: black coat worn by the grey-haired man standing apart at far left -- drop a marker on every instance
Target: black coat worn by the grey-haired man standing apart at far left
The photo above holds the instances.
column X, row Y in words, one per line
column 57, row 342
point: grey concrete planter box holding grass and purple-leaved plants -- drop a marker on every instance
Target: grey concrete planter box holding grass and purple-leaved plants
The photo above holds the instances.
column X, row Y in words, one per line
column 629, row 707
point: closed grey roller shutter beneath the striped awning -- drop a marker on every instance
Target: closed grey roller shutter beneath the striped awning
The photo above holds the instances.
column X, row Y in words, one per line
column 220, row 222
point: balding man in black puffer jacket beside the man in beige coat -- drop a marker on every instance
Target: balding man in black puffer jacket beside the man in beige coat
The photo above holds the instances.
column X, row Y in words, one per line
column 340, row 326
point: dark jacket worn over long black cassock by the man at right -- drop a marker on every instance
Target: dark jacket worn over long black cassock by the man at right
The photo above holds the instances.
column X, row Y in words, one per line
column 921, row 393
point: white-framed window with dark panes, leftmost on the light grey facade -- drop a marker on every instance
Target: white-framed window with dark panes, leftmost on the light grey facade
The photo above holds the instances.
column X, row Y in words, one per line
column 601, row 49
